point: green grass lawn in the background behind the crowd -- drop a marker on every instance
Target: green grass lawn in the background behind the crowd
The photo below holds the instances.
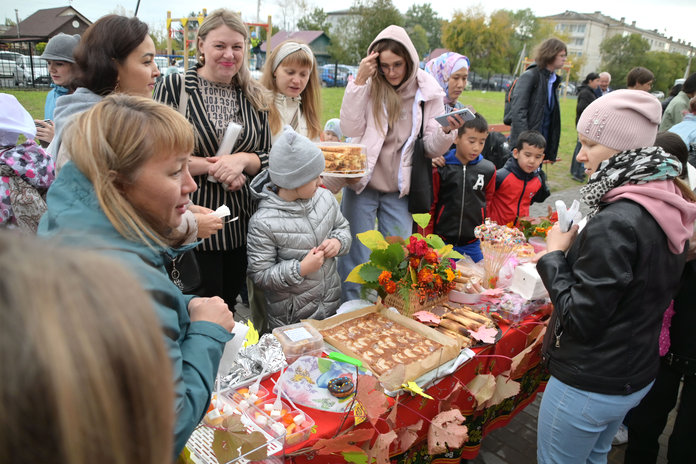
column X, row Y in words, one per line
column 489, row 104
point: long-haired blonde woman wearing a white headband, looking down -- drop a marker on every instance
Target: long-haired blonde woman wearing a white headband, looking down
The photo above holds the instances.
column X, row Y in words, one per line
column 291, row 74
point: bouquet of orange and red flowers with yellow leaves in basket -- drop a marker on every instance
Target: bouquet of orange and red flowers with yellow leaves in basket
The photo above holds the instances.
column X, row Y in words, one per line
column 421, row 265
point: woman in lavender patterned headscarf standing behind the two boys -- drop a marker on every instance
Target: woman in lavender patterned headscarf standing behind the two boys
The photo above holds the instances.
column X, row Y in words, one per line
column 451, row 71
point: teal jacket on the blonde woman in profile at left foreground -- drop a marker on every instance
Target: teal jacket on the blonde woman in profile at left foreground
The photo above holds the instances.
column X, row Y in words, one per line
column 74, row 218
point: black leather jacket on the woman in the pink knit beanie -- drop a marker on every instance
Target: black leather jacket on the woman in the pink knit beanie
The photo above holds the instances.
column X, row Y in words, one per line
column 610, row 293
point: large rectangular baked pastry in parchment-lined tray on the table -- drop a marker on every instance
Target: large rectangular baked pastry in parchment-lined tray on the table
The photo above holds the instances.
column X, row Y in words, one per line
column 381, row 343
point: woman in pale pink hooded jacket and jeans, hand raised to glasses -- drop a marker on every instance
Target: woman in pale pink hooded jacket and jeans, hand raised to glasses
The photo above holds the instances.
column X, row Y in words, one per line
column 382, row 110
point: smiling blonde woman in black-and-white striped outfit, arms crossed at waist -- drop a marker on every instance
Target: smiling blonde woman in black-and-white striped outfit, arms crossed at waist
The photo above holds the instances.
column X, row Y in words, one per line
column 216, row 91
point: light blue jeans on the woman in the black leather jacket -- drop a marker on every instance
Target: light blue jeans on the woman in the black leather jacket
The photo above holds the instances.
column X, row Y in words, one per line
column 577, row 426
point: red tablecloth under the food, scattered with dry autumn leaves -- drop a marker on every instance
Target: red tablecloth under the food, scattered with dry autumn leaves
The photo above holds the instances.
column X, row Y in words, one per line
column 494, row 359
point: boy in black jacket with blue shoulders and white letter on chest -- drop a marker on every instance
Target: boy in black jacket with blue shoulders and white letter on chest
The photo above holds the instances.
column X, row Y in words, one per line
column 462, row 188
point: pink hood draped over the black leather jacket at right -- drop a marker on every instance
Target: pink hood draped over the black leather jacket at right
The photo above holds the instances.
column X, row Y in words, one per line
column 663, row 200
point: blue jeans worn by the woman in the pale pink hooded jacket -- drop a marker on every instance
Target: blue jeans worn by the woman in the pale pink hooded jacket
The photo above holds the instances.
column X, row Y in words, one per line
column 361, row 211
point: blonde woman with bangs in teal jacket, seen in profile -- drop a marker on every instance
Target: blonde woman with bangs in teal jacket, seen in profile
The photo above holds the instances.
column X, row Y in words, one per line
column 124, row 193
